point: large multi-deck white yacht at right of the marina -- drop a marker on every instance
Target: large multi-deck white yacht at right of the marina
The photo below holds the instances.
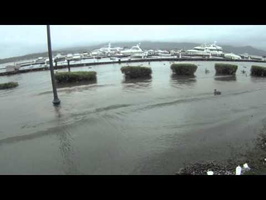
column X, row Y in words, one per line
column 206, row 50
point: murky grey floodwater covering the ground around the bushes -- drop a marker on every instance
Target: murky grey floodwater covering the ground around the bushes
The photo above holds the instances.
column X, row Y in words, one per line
column 118, row 126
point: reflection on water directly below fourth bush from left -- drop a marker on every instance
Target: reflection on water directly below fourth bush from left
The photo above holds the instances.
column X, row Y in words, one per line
column 177, row 81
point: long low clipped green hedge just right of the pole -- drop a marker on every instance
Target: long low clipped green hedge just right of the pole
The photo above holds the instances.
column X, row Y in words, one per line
column 74, row 77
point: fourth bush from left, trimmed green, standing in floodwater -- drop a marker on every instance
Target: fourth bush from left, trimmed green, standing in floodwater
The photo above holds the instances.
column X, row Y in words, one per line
column 184, row 69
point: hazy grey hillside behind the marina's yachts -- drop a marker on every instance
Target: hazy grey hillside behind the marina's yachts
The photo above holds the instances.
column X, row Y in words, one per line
column 144, row 45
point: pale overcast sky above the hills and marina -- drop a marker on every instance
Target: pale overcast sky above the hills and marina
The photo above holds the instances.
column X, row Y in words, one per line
column 16, row 40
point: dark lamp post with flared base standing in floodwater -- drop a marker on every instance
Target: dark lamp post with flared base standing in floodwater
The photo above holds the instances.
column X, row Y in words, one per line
column 56, row 100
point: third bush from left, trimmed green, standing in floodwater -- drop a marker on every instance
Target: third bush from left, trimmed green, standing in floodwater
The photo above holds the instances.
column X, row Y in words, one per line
column 136, row 71
